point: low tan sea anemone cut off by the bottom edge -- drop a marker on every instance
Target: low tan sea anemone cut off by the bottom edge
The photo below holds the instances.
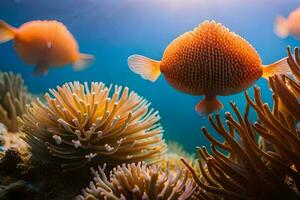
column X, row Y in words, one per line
column 139, row 181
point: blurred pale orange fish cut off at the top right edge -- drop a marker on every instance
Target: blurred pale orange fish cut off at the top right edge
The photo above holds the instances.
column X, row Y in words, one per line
column 288, row 26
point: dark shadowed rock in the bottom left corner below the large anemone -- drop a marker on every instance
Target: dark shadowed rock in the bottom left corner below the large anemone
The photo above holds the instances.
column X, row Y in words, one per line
column 22, row 179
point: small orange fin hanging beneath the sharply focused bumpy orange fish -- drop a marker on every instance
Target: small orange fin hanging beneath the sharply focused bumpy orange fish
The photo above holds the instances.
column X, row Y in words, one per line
column 208, row 105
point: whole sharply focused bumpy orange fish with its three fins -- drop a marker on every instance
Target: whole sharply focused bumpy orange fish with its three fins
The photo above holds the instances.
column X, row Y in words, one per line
column 209, row 61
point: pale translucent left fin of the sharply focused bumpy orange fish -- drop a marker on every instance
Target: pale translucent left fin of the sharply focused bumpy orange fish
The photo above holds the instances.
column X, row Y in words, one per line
column 148, row 68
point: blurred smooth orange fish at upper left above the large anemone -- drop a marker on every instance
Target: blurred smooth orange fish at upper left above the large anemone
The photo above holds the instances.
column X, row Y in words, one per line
column 45, row 44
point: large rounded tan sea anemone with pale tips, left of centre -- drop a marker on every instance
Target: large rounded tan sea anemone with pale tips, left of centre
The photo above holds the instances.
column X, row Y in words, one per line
column 79, row 125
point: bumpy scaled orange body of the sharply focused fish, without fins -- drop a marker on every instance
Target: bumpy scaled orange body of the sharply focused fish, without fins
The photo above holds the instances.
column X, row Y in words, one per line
column 211, row 58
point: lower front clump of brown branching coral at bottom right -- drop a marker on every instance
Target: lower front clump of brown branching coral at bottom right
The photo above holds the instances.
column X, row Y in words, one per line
column 249, row 172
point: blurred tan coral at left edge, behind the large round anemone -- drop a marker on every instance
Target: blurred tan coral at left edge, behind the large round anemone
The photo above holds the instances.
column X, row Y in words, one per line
column 13, row 98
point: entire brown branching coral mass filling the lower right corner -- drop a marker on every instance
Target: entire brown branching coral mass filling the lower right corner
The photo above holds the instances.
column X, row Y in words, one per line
column 243, row 168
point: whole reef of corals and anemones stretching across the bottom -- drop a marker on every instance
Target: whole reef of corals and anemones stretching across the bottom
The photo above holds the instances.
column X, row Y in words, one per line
column 79, row 125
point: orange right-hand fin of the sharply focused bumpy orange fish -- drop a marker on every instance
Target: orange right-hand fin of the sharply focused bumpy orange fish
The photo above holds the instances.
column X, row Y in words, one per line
column 279, row 67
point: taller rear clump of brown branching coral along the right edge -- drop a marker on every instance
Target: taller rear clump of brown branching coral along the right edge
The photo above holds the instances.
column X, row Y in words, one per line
column 278, row 127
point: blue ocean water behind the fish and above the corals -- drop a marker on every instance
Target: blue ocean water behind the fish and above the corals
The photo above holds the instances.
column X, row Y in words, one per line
column 112, row 30
